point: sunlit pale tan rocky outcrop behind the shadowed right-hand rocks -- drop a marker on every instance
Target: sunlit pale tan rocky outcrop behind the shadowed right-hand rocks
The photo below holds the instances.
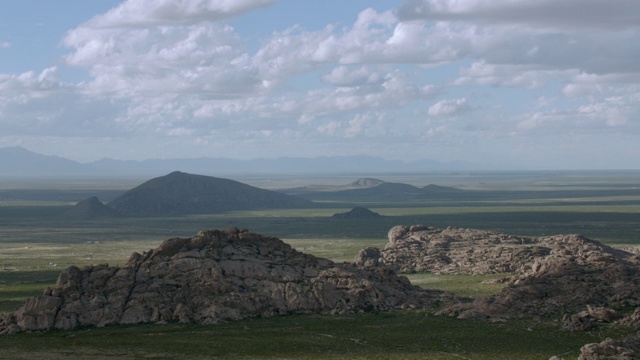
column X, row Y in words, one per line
column 453, row 251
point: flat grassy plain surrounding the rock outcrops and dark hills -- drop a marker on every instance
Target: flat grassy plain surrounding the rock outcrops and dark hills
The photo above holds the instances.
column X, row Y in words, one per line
column 37, row 241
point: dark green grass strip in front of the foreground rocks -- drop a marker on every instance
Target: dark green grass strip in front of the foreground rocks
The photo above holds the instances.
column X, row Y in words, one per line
column 401, row 335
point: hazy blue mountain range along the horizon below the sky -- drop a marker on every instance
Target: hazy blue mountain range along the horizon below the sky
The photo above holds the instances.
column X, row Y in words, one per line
column 20, row 162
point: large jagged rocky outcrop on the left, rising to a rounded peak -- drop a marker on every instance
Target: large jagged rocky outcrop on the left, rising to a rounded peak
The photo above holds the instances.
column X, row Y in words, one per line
column 217, row 275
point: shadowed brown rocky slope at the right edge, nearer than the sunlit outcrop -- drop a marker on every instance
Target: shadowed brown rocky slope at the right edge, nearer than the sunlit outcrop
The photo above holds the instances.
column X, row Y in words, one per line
column 578, row 272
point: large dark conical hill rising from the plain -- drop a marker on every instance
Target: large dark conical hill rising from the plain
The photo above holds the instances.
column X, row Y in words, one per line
column 180, row 193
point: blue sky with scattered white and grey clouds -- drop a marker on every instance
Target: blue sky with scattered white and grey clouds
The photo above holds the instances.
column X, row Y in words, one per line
column 513, row 84
